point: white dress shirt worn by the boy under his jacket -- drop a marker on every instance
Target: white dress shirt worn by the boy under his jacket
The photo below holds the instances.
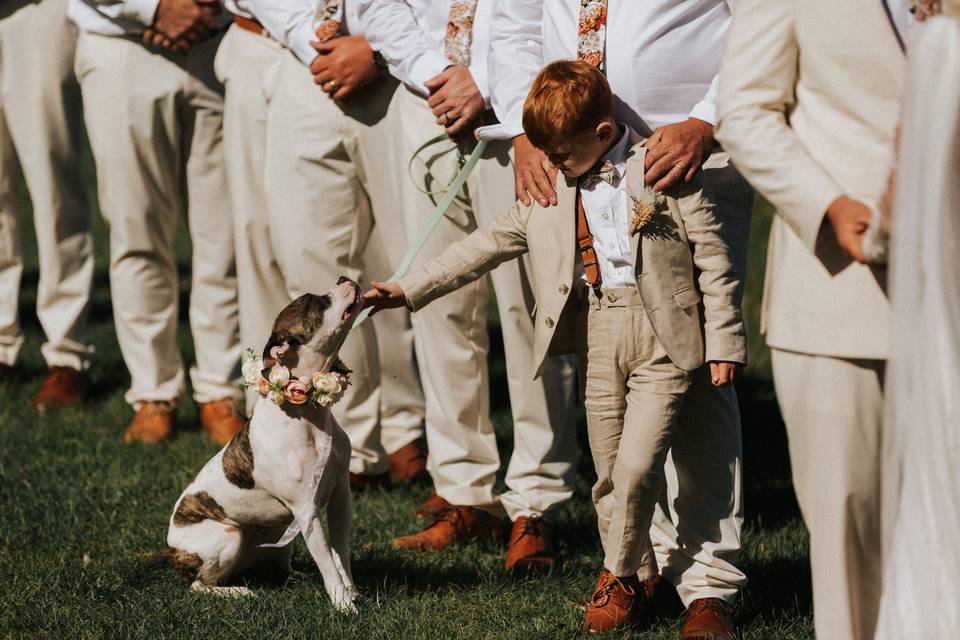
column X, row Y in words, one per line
column 608, row 216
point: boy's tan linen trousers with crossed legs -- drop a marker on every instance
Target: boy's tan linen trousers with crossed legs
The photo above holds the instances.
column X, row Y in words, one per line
column 633, row 393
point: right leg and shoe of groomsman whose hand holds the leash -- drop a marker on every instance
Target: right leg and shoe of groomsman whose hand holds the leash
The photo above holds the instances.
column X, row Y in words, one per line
column 540, row 472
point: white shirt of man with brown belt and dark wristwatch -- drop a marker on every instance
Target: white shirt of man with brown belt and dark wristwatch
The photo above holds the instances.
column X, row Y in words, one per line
column 293, row 23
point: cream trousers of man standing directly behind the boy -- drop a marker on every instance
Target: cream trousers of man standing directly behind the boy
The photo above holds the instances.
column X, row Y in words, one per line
column 697, row 523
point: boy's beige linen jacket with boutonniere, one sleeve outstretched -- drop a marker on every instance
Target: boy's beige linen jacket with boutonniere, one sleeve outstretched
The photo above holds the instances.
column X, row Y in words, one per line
column 682, row 240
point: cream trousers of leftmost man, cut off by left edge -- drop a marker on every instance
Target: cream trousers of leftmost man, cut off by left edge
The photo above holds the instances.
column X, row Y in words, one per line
column 39, row 125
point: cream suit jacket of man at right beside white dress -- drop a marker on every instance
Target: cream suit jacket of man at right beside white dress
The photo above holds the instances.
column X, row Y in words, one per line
column 808, row 105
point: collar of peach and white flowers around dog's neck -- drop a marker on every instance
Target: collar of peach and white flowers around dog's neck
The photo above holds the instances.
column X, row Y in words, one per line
column 278, row 384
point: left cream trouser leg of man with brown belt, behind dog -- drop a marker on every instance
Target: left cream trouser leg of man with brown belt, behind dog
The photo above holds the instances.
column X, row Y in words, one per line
column 243, row 61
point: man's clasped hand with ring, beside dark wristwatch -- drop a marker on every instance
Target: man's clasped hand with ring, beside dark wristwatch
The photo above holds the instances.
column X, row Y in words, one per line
column 343, row 65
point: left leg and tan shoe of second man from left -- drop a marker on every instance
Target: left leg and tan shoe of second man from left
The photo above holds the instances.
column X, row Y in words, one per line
column 136, row 137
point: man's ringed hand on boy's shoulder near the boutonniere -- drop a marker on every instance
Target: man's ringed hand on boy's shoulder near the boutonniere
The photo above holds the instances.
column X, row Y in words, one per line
column 675, row 152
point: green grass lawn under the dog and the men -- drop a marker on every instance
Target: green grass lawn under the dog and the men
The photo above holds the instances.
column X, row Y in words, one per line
column 78, row 508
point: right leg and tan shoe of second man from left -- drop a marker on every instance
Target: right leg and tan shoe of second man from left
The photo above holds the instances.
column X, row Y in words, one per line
column 214, row 314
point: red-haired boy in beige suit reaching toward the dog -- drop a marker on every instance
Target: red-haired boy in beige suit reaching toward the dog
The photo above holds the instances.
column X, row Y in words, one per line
column 640, row 284
